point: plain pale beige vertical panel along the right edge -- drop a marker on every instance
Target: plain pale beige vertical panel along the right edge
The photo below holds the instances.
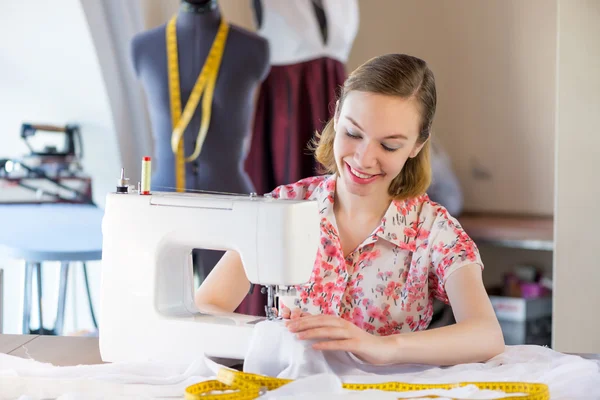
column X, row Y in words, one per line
column 576, row 264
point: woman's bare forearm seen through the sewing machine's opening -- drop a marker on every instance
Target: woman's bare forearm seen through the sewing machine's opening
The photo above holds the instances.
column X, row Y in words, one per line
column 225, row 286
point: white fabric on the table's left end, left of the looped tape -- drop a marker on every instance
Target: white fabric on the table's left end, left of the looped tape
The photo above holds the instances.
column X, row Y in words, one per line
column 31, row 379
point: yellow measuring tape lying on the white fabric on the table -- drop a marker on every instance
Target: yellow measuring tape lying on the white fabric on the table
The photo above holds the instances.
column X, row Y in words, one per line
column 241, row 386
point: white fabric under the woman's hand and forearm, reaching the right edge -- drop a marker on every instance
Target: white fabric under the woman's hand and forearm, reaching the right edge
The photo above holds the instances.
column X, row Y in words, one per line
column 568, row 376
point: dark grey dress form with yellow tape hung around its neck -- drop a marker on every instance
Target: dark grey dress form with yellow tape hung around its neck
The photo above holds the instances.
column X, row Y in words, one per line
column 244, row 65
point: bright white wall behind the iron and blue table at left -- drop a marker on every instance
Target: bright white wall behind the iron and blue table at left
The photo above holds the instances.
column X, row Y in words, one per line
column 50, row 73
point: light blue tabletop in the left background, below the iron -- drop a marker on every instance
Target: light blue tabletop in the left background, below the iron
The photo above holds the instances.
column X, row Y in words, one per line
column 51, row 232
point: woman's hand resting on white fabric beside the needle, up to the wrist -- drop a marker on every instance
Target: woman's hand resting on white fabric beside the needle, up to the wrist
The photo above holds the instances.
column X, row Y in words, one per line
column 335, row 333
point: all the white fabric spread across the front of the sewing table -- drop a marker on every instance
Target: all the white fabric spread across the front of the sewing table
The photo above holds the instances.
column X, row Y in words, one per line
column 275, row 352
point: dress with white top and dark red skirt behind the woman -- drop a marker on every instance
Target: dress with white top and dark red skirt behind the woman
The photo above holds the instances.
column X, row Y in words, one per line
column 309, row 44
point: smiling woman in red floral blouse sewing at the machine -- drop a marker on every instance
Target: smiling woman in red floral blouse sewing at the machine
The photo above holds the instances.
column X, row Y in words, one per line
column 386, row 249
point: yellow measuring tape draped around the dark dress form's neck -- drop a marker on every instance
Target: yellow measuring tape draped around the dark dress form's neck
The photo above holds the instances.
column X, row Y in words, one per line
column 205, row 84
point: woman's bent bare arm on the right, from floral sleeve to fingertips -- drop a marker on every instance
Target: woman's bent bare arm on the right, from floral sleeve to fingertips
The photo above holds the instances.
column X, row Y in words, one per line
column 476, row 337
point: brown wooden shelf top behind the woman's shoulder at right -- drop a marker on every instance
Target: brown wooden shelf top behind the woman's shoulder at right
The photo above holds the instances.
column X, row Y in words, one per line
column 515, row 231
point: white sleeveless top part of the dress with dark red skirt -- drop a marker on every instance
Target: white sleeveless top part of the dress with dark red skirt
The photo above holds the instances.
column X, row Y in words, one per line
column 292, row 30
